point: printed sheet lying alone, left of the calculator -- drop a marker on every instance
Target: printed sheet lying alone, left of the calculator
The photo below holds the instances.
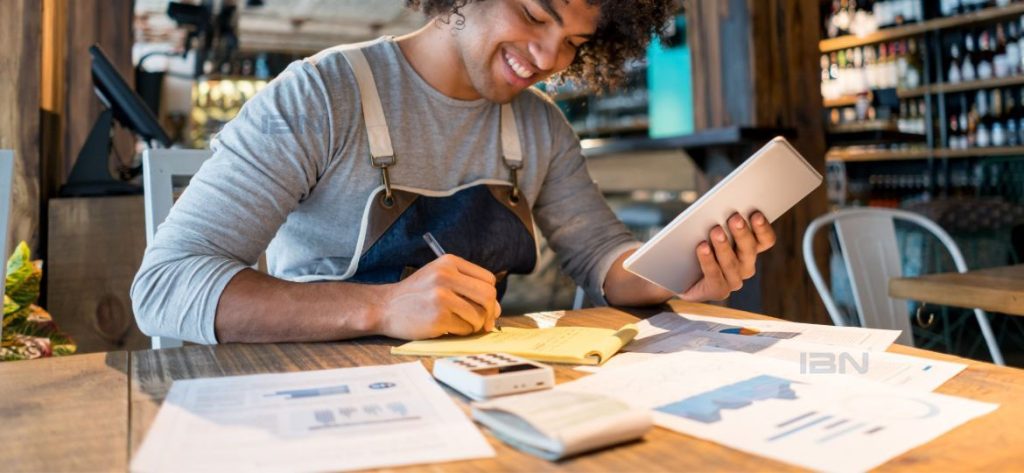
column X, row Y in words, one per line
column 349, row 419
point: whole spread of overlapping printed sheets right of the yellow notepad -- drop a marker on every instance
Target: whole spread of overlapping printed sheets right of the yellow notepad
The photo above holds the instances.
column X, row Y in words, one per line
column 818, row 397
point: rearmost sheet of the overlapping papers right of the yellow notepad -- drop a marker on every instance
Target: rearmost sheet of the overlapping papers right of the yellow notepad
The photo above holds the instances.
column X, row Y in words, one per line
column 852, row 337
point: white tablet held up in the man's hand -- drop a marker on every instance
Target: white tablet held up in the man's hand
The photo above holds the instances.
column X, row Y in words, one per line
column 773, row 182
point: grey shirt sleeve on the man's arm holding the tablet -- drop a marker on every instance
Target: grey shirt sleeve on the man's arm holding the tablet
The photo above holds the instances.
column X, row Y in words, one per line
column 575, row 218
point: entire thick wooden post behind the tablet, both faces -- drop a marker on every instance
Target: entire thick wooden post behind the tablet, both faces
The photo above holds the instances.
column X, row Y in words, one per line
column 755, row 65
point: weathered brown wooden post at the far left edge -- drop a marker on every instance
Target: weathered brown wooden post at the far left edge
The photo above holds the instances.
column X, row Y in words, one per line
column 20, row 61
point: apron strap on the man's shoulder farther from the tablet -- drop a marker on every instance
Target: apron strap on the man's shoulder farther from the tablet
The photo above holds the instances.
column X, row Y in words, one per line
column 381, row 152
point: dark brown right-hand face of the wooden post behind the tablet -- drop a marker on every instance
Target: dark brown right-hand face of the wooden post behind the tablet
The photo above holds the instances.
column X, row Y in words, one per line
column 786, row 79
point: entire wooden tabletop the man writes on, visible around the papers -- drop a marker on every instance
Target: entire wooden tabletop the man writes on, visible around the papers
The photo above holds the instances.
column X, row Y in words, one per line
column 84, row 413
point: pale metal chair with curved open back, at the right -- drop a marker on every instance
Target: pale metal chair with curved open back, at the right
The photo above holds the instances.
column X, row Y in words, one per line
column 868, row 240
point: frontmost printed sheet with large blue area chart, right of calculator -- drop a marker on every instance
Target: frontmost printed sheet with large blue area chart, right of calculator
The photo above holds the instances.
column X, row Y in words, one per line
column 757, row 405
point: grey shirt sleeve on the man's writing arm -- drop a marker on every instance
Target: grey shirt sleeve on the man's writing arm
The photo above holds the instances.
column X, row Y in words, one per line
column 265, row 163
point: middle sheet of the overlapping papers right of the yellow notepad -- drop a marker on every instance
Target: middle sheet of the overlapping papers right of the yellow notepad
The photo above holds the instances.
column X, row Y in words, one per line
column 805, row 358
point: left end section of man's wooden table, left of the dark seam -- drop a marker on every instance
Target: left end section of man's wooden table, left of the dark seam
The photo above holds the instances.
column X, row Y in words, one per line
column 65, row 414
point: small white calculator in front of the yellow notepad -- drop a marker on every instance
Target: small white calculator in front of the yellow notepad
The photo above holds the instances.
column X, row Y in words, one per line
column 485, row 376
